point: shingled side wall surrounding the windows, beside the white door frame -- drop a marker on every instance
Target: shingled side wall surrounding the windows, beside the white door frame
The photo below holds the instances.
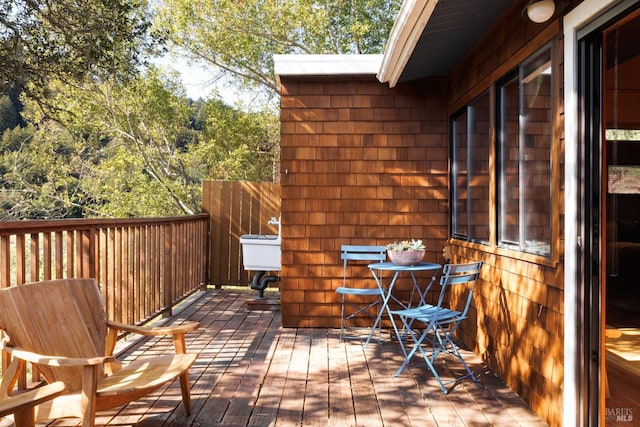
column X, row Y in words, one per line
column 517, row 322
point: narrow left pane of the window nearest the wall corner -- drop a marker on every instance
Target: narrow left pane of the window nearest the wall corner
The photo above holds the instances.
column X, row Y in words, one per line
column 459, row 134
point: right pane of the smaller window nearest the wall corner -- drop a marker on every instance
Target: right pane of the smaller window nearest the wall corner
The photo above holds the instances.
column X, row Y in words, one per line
column 478, row 173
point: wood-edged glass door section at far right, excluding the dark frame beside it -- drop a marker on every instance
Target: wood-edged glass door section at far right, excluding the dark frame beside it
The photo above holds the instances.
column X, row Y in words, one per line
column 621, row 221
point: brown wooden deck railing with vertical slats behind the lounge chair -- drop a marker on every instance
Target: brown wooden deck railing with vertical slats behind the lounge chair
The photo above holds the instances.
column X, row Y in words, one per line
column 144, row 266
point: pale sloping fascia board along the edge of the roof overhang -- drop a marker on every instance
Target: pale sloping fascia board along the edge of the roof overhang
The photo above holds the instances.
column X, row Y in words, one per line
column 407, row 29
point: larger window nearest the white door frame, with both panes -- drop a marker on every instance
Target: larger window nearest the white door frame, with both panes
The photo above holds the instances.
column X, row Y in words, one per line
column 524, row 146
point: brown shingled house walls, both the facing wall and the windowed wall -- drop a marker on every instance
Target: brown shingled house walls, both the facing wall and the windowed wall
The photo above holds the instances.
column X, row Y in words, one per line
column 365, row 164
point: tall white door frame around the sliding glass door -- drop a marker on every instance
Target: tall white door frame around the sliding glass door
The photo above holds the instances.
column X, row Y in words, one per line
column 579, row 355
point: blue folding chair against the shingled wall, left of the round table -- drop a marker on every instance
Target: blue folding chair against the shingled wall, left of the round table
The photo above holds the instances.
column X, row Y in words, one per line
column 350, row 253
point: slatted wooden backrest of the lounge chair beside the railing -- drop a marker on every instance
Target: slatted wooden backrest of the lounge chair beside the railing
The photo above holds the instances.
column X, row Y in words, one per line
column 58, row 318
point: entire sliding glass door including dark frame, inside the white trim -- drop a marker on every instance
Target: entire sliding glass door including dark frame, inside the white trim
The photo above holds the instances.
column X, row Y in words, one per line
column 610, row 173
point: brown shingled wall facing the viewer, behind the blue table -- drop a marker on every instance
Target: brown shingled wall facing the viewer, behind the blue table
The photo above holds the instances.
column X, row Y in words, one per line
column 361, row 164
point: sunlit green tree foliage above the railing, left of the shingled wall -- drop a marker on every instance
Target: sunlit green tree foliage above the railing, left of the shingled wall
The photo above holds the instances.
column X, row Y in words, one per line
column 134, row 149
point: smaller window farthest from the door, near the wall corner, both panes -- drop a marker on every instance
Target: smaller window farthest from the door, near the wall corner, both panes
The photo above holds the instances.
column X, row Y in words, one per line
column 470, row 131
